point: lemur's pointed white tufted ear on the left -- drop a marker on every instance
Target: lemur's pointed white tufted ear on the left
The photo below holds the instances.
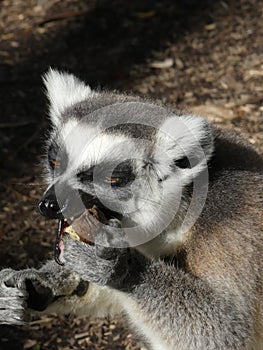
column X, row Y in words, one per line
column 63, row 90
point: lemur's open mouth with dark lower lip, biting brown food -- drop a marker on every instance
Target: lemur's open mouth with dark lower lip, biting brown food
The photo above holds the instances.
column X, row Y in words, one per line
column 82, row 227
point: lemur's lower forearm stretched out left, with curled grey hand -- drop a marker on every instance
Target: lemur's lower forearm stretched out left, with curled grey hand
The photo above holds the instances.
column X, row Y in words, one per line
column 52, row 288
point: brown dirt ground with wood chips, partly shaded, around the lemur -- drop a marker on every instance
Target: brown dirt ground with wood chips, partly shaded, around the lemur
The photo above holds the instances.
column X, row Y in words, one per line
column 206, row 56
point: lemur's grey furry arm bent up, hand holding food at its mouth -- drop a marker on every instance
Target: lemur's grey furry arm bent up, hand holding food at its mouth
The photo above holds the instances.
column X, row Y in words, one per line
column 174, row 309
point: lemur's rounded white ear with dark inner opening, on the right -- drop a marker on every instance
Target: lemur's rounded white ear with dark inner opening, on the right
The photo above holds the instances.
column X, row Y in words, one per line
column 184, row 143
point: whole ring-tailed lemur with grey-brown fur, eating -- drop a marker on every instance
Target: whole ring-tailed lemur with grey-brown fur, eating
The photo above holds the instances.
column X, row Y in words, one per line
column 184, row 261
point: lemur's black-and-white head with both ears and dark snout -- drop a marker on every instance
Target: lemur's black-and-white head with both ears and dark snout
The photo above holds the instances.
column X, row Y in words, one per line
column 134, row 160
